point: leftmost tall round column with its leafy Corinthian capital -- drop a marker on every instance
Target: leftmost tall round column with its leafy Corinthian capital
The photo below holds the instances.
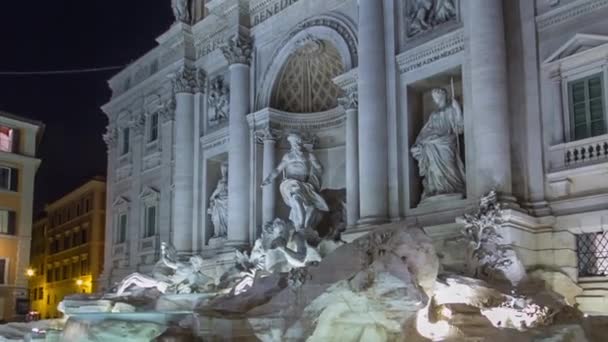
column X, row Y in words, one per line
column 184, row 85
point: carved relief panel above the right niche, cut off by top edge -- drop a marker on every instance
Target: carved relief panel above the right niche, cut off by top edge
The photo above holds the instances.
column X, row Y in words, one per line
column 424, row 15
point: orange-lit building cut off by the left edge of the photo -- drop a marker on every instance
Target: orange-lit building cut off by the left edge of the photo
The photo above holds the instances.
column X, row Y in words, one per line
column 19, row 138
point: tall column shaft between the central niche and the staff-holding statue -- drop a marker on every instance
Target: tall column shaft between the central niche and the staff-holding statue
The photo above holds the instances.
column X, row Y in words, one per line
column 373, row 154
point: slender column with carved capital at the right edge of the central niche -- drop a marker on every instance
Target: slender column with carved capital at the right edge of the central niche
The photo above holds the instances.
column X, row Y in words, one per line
column 350, row 102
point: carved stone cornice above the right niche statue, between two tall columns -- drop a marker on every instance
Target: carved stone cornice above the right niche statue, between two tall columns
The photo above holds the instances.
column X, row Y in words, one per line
column 432, row 51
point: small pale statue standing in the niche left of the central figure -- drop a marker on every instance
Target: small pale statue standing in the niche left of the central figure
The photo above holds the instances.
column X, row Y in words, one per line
column 218, row 205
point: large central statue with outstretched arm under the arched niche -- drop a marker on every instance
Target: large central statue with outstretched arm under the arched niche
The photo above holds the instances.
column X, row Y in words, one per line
column 301, row 184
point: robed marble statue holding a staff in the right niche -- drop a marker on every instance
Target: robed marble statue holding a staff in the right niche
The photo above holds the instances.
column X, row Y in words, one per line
column 437, row 148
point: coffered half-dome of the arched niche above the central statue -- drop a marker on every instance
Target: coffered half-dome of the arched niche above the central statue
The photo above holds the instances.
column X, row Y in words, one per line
column 304, row 83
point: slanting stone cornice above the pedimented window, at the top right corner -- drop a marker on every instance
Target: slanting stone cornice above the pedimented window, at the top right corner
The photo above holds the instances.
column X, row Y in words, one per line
column 568, row 12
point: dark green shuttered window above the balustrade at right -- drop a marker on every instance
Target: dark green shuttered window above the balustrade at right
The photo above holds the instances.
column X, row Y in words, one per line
column 587, row 117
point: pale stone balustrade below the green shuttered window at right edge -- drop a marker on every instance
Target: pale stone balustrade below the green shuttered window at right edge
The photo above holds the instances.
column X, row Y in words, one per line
column 578, row 153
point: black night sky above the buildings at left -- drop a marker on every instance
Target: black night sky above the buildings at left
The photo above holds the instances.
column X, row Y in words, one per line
column 67, row 34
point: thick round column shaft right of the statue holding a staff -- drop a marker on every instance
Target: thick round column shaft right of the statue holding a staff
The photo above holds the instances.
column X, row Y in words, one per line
column 489, row 93
